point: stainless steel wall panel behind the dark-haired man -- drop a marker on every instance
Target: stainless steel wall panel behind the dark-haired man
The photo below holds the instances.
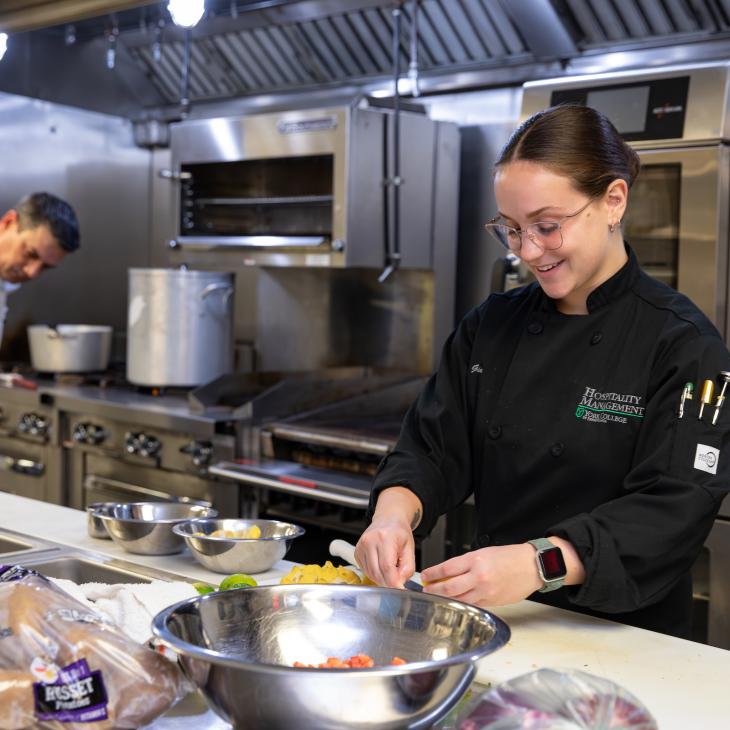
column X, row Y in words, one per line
column 90, row 160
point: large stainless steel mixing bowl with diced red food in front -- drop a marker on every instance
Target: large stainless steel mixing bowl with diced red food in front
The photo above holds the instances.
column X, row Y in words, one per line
column 239, row 647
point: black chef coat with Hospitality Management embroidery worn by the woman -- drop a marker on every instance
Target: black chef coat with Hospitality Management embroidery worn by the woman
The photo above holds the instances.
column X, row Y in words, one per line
column 568, row 425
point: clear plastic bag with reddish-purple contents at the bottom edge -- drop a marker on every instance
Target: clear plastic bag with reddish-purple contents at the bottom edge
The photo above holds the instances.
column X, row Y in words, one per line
column 547, row 699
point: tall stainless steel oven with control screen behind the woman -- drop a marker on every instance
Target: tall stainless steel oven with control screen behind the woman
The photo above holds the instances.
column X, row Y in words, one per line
column 677, row 222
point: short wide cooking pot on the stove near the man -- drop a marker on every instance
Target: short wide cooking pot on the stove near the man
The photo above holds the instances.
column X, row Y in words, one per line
column 70, row 348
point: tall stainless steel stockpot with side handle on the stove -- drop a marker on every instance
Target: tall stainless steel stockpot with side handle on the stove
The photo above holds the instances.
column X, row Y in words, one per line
column 179, row 327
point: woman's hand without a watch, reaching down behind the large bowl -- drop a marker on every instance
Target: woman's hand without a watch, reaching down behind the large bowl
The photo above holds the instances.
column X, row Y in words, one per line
column 386, row 551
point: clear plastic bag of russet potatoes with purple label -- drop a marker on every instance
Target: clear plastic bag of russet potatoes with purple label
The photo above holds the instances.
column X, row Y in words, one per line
column 63, row 668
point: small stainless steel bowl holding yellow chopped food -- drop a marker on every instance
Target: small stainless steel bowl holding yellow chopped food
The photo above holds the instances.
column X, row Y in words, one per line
column 238, row 555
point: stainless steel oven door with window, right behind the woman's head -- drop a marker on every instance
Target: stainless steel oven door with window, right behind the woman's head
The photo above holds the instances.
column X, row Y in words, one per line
column 677, row 223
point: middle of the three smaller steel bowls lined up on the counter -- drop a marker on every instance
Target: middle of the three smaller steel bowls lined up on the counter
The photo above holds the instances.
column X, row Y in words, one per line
column 145, row 528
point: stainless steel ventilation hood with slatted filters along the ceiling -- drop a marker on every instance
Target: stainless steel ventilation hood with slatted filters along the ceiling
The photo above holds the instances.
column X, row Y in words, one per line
column 265, row 48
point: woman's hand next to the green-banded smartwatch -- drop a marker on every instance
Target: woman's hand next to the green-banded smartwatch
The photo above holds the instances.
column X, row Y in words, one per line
column 491, row 576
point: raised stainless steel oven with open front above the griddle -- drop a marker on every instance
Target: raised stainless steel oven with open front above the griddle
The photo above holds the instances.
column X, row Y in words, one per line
column 317, row 187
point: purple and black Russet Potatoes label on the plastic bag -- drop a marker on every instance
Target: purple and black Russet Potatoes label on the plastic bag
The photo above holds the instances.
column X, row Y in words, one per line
column 78, row 695
